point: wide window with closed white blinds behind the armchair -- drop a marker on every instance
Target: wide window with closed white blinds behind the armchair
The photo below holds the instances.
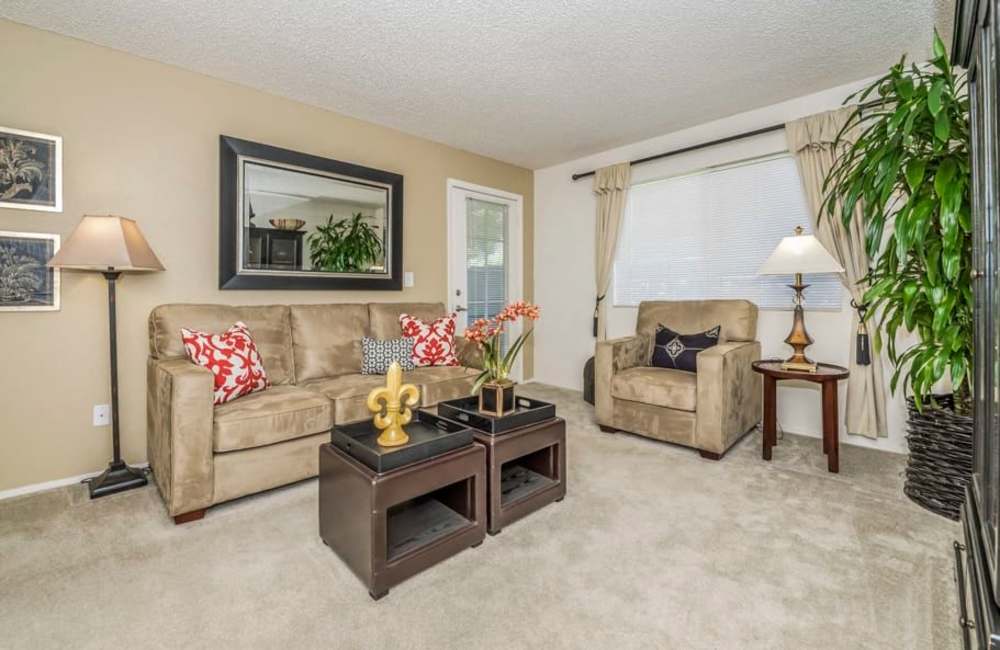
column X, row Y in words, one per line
column 704, row 235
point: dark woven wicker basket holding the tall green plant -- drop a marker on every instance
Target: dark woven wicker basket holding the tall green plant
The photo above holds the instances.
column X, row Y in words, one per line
column 940, row 462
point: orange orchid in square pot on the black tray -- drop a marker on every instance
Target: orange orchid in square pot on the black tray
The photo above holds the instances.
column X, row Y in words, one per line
column 495, row 388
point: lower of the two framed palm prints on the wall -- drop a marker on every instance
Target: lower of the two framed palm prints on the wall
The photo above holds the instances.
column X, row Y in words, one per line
column 26, row 284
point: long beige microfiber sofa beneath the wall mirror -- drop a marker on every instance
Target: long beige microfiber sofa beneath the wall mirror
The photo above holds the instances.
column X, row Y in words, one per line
column 202, row 454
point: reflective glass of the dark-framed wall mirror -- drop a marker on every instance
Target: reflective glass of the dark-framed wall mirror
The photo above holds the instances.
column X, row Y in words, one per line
column 302, row 220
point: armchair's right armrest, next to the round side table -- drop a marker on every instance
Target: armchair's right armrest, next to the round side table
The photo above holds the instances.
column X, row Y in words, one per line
column 729, row 398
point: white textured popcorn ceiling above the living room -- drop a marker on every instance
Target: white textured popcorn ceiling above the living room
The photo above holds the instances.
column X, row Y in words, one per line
column 532, row 82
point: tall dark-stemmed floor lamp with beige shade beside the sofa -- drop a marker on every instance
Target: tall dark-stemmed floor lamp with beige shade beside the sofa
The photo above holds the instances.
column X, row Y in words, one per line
column 109, row 245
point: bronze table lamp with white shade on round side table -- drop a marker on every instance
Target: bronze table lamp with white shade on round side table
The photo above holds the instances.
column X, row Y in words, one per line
column 796, row 255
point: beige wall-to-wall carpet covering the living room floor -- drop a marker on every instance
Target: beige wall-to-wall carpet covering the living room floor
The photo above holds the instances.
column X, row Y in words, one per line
column 652, row 548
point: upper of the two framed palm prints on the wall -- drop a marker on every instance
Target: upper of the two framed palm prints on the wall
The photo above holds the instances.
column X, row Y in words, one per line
column 30, row 170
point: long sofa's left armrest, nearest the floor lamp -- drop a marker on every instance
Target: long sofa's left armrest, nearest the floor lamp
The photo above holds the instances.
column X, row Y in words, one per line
column 179, row 419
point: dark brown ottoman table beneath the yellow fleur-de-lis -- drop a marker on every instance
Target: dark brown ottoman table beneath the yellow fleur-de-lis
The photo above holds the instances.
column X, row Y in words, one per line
column 391, row 525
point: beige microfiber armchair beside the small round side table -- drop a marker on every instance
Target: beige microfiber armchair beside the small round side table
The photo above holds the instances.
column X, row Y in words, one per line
column 709, row 410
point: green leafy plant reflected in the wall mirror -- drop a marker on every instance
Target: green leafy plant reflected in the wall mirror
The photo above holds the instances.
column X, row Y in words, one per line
column 349, row 245
